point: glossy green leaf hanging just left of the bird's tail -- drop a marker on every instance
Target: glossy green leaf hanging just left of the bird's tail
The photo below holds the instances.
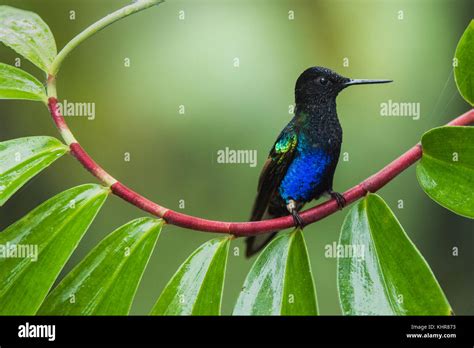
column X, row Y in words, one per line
column 196, row 288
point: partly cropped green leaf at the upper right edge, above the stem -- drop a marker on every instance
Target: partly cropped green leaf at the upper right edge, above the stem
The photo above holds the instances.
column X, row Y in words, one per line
column 463, row 71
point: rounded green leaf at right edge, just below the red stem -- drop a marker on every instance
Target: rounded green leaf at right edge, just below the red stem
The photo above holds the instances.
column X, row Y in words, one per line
column 446, row 170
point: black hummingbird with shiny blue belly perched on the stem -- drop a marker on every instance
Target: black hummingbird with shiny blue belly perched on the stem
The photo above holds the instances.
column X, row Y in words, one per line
column 303, row 160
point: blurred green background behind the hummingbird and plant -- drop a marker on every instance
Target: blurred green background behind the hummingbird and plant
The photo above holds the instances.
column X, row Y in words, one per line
column 190, row 62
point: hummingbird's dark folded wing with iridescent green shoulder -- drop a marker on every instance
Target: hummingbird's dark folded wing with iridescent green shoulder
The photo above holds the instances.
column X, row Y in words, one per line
column 274, row 170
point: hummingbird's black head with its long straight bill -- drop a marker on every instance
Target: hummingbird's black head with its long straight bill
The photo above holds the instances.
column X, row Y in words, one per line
column 319, row 84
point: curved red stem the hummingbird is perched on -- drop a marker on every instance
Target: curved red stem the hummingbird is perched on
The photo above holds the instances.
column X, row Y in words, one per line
column 371, row 184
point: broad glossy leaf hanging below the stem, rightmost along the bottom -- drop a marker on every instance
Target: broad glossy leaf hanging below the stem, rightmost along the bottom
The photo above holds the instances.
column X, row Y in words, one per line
column 379, row 270
